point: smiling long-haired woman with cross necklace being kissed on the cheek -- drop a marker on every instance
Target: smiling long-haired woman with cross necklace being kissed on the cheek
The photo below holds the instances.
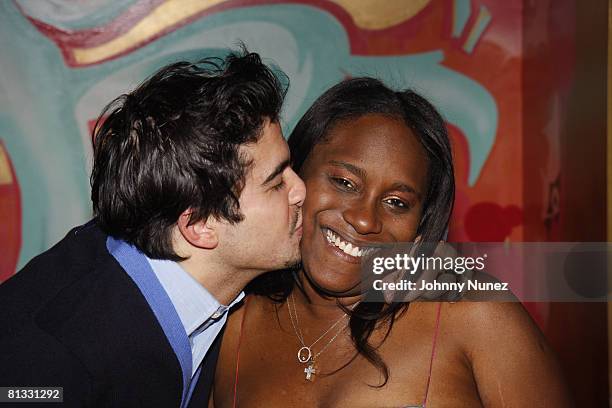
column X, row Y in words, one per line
column 377, row 167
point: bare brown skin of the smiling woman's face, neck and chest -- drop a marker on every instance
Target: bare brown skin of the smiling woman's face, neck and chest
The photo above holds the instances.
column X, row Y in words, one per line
column 488, row 354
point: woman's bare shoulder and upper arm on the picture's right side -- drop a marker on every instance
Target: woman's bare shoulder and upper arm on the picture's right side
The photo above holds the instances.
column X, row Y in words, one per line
column 505, row 346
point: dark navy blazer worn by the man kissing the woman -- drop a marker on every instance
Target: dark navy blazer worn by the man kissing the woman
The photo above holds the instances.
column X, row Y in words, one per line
column 72, row 317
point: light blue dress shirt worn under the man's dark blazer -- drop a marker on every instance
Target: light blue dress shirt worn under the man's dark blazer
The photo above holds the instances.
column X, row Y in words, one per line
column 201, row 314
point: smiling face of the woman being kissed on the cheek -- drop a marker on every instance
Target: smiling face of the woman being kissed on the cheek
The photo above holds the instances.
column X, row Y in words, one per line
column 365, row 185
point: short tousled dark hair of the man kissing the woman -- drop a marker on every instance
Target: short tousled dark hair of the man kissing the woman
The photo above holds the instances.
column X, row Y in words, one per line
column 173, row 144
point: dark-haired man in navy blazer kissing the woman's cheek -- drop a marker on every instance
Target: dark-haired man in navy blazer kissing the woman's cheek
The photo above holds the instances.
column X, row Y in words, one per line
column 193, row 197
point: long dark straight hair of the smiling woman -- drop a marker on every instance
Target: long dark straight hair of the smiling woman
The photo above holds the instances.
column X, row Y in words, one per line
column 351, row 99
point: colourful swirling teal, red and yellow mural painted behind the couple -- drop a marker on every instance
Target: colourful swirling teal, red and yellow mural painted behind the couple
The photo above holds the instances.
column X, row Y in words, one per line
column 63, row 61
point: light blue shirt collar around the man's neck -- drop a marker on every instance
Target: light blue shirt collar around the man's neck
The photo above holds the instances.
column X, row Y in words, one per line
column 193, row 303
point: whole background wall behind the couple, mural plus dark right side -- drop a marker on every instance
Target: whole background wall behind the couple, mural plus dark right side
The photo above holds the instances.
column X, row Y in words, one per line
column 518, row 81
